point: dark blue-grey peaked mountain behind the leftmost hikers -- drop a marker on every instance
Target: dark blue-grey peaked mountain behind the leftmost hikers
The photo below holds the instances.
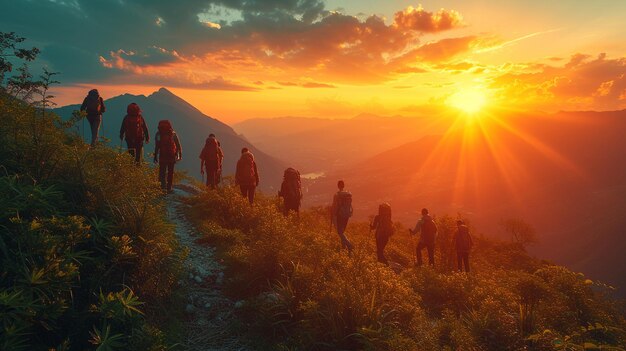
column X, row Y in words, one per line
column 192, row 126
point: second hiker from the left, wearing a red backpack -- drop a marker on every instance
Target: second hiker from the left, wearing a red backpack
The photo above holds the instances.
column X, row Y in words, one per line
column 135, row 130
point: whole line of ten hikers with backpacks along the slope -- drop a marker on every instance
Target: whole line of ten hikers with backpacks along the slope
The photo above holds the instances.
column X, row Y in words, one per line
column 168, row 151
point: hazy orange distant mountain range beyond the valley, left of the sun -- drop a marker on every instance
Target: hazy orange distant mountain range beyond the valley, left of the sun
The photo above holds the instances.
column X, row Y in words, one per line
column 319, row 144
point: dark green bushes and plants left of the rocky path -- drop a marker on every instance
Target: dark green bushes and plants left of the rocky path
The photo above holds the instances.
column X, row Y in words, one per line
column 85, row 262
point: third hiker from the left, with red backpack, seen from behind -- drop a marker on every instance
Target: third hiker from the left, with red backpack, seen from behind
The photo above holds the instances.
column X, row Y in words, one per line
column 167, row 151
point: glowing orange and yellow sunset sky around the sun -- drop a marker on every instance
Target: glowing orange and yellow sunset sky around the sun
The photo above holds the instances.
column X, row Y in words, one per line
column 392, row 58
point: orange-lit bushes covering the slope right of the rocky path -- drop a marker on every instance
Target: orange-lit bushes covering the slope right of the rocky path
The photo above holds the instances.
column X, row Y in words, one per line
column 301, row 291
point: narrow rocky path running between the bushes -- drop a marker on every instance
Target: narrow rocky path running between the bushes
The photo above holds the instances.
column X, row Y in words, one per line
column 210, row 315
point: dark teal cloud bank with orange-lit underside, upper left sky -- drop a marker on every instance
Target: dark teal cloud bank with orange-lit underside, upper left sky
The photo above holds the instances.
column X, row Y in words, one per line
column 96, row 40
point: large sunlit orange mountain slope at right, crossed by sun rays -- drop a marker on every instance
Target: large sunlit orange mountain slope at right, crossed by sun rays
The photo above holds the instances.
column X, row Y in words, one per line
column 565, row 174
